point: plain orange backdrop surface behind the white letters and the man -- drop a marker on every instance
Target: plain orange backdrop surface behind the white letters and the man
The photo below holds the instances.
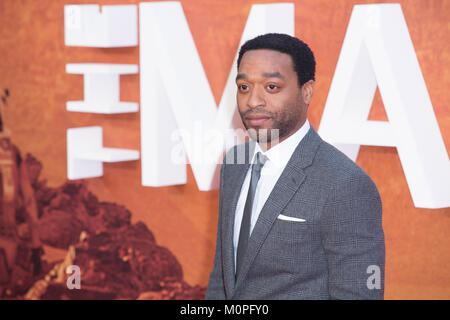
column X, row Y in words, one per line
column 32, row 67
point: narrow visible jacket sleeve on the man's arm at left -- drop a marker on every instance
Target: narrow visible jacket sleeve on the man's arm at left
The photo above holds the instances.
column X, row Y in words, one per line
column 216, row 287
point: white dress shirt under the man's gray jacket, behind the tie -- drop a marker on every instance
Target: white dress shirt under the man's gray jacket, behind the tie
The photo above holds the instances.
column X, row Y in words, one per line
column 277, row 158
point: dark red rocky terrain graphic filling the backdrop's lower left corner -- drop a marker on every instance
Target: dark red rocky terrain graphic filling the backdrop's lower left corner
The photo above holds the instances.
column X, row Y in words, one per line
column 117, row 259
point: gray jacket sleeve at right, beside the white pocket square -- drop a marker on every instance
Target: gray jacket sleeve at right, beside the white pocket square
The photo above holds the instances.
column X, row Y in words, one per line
column 353, row 239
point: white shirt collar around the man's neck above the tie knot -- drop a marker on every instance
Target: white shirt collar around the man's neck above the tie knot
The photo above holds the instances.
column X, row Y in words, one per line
column 280, row 154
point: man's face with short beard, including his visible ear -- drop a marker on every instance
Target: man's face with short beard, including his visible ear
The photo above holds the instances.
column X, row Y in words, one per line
column 269, row 96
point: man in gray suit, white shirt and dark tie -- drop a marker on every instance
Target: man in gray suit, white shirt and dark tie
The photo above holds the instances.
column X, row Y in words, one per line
column 301, row 220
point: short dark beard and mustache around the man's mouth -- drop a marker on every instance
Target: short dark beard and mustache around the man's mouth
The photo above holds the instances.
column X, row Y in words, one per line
column 284, row 122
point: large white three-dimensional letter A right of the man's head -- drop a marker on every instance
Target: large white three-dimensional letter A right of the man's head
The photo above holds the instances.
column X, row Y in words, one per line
column 377, row 49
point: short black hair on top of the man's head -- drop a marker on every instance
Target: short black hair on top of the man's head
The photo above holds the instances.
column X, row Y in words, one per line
column 302, row 56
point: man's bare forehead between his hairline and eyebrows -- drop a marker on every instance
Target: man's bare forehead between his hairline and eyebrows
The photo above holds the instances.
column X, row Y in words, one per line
column 264, row 60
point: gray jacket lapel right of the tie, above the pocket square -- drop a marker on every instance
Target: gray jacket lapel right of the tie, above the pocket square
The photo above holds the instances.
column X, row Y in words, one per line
column 287, row 185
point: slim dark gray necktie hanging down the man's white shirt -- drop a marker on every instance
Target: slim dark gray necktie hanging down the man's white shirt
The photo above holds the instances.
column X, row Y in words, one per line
column 244, row 233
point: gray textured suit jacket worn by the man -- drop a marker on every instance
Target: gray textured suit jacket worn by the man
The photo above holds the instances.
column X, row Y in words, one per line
column 337, row 253
